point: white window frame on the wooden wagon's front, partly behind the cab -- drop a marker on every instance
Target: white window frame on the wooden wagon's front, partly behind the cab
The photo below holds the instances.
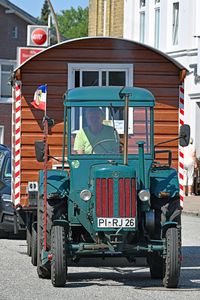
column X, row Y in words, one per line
column 73, row 67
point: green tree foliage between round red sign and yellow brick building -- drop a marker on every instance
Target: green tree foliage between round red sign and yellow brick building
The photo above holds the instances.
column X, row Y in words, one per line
column 73, row 23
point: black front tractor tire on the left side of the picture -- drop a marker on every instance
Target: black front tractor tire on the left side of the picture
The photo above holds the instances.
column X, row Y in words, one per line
column 59, row 260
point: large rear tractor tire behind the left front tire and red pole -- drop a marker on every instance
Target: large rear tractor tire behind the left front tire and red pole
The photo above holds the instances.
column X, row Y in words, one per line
column 44, row 271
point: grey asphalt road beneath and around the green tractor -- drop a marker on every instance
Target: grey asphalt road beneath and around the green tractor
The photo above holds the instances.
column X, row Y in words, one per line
column 19, row 280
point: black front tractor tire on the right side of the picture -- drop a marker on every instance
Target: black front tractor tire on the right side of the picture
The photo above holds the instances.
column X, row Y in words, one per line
column 173, row 258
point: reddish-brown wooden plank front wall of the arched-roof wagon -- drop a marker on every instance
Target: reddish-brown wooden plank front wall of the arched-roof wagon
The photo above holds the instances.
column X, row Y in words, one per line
column 151, row 71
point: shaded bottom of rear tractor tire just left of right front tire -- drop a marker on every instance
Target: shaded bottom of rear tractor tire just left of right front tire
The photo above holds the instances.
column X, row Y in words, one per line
column 156, row 264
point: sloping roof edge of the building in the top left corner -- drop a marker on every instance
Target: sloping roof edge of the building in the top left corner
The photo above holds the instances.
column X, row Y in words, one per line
column 19, row 12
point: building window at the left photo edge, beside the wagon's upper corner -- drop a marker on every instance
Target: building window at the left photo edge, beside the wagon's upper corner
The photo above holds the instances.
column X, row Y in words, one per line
column 5, row 87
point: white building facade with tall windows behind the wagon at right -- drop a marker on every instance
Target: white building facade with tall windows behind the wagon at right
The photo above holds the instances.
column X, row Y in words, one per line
column 173, row 27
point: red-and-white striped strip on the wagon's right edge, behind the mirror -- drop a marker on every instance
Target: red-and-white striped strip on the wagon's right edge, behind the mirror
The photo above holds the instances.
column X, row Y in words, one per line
column 181, row 152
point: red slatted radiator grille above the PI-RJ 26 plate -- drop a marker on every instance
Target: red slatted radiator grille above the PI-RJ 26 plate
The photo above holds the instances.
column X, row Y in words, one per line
column 120, row 204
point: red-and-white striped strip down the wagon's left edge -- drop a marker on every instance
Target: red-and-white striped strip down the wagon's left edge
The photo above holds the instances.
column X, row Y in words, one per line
column 17, row 147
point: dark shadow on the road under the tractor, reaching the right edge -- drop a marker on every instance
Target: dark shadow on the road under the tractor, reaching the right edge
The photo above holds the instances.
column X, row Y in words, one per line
column 136, row 276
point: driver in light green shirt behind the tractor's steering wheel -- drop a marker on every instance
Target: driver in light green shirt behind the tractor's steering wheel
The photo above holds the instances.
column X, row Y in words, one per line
column 96, row 137
